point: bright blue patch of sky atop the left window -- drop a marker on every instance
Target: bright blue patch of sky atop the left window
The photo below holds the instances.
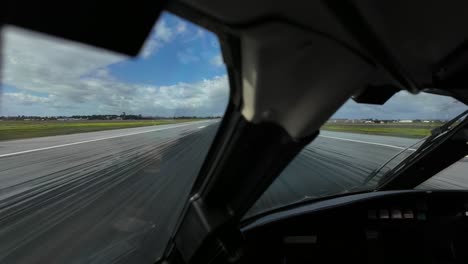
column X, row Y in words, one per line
column 178, row 56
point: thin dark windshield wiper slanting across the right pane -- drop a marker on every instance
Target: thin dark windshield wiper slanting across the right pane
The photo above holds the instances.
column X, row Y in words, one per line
column 427, row 141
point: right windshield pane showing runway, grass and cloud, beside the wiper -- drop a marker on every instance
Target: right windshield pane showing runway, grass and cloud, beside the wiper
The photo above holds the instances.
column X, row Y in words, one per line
column 357, row 146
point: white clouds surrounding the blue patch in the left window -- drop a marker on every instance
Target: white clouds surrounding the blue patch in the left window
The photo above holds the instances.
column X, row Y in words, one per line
column 61, row 78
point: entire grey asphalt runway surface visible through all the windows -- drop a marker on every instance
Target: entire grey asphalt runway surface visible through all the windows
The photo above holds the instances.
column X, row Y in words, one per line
column 114, row 196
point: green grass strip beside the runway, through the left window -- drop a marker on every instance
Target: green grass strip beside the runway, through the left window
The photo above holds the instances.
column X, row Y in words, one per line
column 29, row 129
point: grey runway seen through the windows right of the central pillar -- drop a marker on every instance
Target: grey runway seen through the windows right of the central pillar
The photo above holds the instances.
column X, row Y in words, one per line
column 336, row 162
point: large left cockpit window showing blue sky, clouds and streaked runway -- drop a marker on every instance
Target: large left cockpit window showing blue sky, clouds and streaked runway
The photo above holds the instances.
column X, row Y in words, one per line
column 98, row 151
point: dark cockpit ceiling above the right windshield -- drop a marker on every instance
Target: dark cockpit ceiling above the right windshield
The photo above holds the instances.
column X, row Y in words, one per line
column 421, row 38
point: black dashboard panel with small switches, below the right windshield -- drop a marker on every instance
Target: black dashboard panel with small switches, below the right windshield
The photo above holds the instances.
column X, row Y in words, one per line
column 377, row 227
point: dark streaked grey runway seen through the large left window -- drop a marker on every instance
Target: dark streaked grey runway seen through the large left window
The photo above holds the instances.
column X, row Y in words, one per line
column 115, row 198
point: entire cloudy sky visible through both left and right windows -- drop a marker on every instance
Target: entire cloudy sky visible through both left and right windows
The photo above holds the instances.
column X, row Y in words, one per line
column 179, row 71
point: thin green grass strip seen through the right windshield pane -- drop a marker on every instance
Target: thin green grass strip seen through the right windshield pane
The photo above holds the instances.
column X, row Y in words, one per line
column 412, row 130
